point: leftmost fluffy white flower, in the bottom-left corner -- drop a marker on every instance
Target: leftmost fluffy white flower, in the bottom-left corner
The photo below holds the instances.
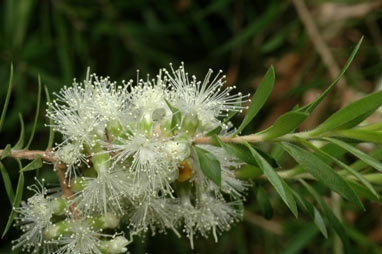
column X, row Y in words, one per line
column 33, row 217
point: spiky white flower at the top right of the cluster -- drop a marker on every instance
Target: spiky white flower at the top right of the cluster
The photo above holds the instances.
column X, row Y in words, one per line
column 208, row 100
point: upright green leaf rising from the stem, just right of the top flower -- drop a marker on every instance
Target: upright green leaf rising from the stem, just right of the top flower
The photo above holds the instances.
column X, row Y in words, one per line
column 259, row 98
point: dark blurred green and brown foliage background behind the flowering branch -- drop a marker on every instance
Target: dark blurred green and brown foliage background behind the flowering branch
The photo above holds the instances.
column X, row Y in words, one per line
column 58, row 39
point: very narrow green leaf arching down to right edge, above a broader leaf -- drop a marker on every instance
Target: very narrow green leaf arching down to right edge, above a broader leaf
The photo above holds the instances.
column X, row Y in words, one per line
column 331, row 158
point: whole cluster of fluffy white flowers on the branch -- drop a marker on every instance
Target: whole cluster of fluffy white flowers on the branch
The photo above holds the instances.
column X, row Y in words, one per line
column 130, row 155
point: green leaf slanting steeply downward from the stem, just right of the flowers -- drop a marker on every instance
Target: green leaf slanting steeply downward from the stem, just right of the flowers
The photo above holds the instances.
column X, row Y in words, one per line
column 278, row 183
